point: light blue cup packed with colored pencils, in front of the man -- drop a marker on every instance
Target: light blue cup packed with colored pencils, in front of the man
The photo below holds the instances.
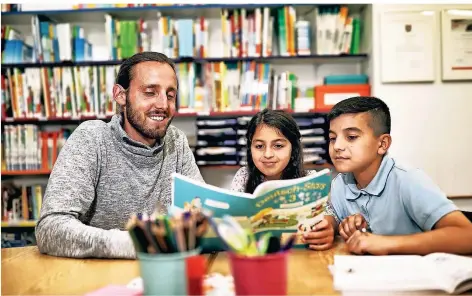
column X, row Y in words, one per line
column 168, row 250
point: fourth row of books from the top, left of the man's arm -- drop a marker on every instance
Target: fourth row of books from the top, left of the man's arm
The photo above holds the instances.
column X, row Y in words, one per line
column 21, row 203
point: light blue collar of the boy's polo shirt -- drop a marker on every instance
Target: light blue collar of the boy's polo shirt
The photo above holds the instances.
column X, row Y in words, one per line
column 376, row 186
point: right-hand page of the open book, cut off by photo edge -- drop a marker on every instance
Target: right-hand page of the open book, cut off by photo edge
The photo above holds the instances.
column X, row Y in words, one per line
column 454, row 270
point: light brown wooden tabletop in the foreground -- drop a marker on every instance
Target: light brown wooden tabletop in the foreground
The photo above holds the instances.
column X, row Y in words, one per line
column 26, row 271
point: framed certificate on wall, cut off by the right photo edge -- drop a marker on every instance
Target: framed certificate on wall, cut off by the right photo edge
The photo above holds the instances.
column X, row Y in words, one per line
column 456, row 28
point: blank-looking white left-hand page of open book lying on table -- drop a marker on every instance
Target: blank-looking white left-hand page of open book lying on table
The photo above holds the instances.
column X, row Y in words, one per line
column 384, row 273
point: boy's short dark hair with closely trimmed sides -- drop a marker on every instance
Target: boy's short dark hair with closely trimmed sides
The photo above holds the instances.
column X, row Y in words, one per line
column 378, row 110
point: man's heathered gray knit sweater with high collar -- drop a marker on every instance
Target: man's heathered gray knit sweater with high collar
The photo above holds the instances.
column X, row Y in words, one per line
column 100, row 178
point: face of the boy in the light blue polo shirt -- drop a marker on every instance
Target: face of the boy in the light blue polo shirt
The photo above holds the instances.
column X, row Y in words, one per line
column 353, row 145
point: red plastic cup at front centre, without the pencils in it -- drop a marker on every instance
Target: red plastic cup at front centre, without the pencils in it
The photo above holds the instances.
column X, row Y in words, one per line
column 260, row 275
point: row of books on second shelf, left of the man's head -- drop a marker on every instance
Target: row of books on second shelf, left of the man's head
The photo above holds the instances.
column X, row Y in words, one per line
column 58, row 92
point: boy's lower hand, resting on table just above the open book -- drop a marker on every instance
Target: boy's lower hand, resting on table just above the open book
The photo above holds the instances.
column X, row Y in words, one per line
column 368, row 243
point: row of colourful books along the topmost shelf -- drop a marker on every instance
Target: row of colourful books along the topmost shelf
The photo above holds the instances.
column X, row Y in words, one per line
column 258, row 32
